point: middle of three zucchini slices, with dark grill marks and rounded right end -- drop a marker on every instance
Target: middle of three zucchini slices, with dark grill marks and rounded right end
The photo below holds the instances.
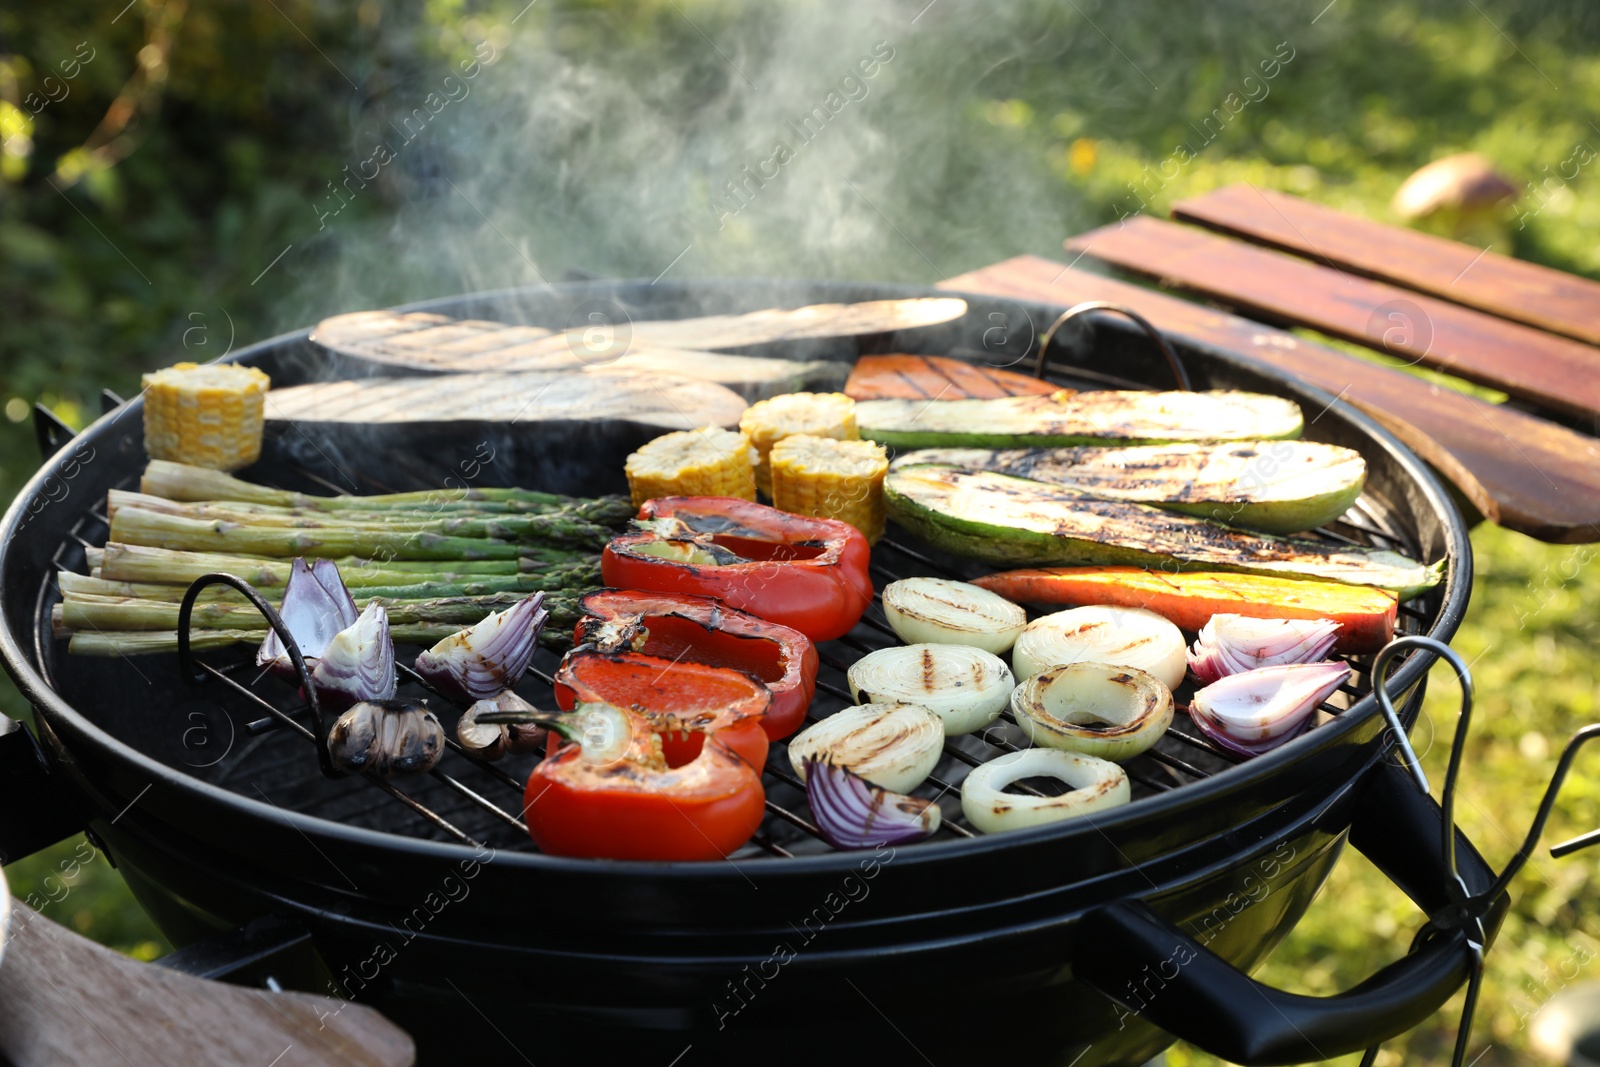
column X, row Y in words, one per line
column 1279, row 487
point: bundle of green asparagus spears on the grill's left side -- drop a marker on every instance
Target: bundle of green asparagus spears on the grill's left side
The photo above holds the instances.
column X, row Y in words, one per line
column 438, row 561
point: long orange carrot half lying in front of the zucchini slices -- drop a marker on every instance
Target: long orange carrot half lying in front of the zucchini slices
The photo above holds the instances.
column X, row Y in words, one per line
column 1366, row 617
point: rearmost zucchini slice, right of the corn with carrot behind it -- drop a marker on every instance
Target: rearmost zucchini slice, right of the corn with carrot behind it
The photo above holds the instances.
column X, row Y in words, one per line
column 1087, row 418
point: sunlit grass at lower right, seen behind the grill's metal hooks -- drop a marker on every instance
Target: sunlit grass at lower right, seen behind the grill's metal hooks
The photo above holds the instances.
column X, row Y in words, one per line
column 1529, row 637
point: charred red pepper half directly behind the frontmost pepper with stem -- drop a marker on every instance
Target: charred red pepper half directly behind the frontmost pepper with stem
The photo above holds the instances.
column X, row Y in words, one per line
column 682, row 701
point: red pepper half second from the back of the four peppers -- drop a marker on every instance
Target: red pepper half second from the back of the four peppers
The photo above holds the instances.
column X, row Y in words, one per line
column 705, row 631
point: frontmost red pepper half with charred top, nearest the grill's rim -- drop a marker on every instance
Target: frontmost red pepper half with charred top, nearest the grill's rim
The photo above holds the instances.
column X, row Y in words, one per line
column 631, row 805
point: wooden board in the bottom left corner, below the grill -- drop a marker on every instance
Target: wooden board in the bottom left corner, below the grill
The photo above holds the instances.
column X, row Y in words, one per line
column 68, row 1001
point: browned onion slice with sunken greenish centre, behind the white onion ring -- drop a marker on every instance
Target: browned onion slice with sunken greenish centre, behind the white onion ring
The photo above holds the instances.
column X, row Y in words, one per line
column 1097, row 709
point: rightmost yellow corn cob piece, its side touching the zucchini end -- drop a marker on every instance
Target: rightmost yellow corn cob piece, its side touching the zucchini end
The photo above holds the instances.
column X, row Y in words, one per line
column 820, row 476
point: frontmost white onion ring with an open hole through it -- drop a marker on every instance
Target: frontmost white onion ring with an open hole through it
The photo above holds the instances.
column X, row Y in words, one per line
column 1097, row 786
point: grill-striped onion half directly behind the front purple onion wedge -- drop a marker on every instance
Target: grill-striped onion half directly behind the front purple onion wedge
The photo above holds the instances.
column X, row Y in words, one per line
column 894, row 746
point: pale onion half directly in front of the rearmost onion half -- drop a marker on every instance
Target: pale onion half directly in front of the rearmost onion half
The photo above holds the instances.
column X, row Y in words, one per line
column 962, row 685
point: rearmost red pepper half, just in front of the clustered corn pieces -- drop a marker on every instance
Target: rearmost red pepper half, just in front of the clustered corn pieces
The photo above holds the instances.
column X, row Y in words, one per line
column 801, row 572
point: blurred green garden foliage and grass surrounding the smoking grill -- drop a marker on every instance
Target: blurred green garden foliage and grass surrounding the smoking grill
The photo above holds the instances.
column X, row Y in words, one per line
column 159, row 201
